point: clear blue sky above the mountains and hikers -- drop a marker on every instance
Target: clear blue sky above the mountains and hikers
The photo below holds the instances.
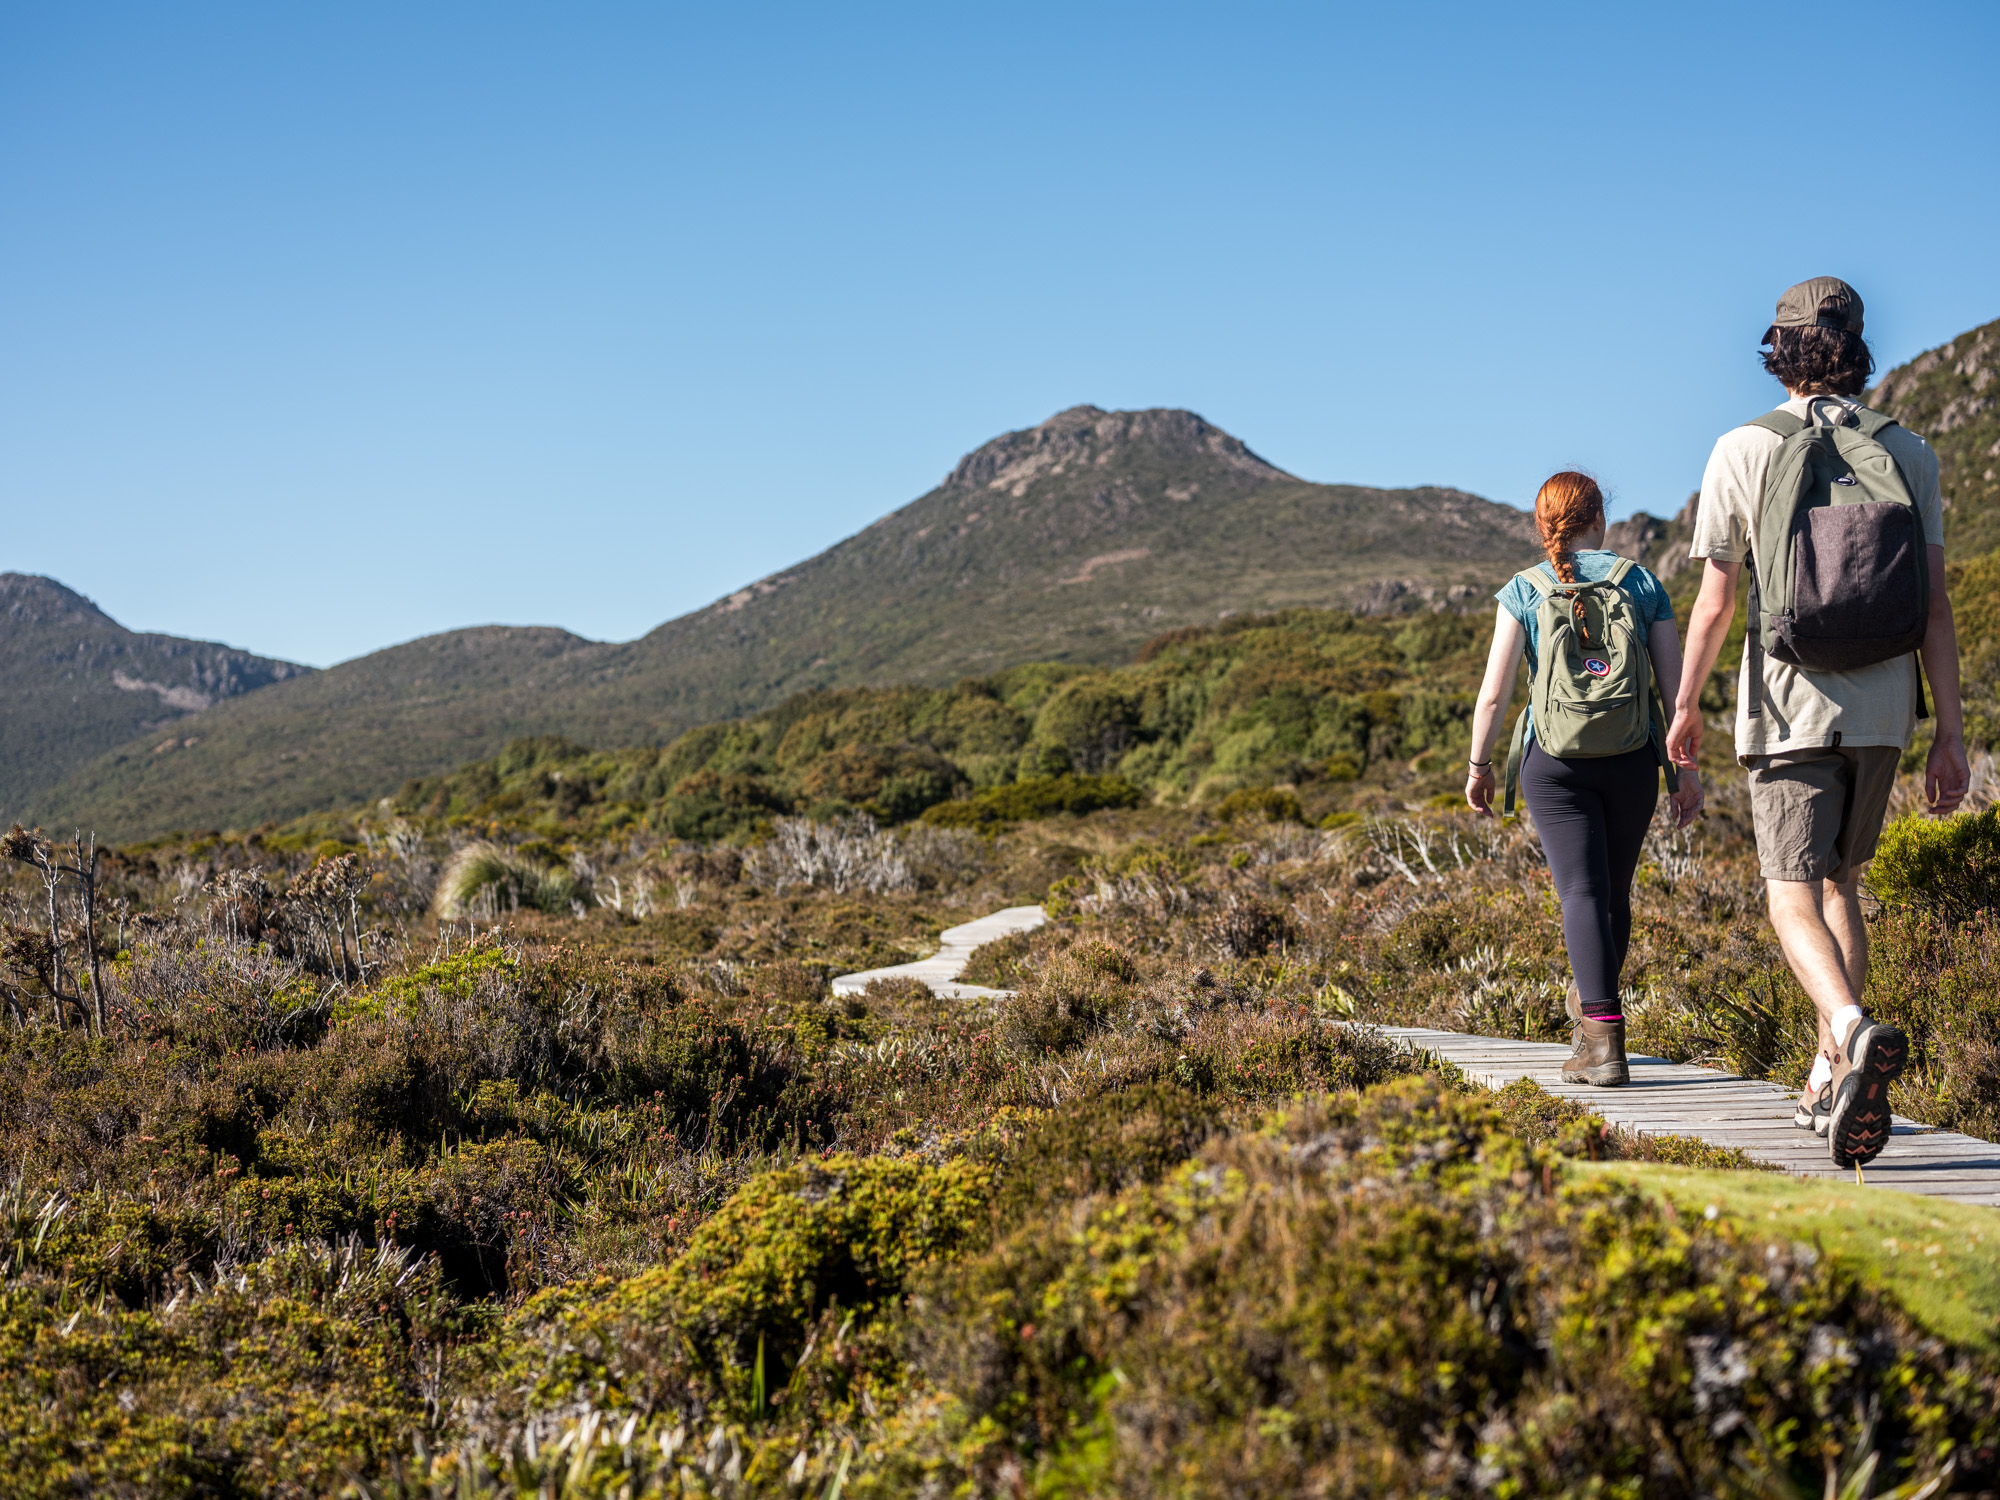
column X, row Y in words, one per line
column 327, row 327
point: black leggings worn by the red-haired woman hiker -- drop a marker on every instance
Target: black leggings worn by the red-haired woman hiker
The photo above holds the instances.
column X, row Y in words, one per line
column 1593, row 817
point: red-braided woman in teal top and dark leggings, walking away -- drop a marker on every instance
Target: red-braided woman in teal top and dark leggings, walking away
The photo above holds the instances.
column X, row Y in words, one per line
column 1595, row 801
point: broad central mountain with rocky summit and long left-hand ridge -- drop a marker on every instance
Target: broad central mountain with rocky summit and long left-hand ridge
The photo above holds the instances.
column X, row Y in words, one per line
column 1069, row 543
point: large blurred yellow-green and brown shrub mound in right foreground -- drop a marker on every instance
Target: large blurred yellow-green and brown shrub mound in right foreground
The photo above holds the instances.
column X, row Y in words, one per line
column 1393, row 1295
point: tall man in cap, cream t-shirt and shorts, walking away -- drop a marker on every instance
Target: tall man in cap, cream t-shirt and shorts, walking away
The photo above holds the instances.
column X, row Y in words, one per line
column 1833, row 517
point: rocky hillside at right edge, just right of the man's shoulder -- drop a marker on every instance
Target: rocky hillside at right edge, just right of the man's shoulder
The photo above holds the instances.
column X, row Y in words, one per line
column 1953, row 397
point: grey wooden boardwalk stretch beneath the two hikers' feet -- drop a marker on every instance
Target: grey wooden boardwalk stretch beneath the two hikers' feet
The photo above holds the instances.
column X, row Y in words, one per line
column 1673, row 1099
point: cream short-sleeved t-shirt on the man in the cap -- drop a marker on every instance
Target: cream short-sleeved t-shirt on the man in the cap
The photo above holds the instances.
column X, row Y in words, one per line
column 1871, row 705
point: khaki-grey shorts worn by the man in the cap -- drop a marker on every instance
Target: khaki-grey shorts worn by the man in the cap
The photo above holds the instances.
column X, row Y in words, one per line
column 1819, row 813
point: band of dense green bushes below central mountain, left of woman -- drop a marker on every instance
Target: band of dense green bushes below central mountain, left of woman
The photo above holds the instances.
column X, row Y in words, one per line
column 1317, row 703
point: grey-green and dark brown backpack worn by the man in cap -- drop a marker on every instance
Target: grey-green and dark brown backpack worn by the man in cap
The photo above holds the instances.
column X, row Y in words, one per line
column 1841, row 573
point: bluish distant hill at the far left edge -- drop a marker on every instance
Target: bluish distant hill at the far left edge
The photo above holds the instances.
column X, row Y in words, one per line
column 77, row 685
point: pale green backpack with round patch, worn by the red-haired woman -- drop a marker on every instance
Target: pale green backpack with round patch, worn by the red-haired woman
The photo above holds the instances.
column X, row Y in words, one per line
column 1593, row 691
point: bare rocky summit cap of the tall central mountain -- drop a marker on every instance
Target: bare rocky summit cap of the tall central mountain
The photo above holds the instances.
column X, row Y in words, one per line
column 1093, row 437
